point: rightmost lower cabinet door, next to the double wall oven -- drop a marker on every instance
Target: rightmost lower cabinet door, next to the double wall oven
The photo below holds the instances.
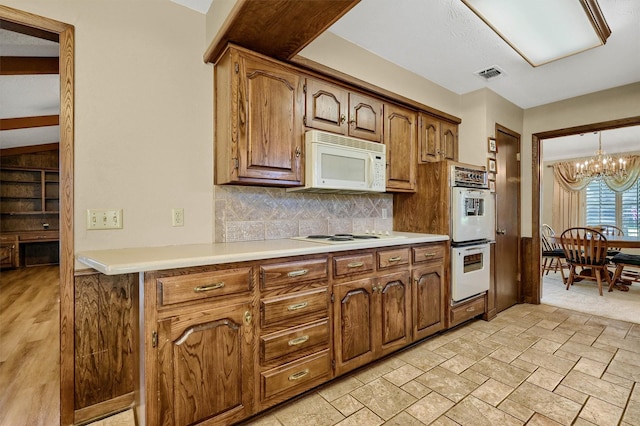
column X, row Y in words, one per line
column 428, row 300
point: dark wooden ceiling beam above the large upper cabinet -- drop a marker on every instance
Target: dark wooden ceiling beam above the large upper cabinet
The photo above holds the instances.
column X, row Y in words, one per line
column 277, row 28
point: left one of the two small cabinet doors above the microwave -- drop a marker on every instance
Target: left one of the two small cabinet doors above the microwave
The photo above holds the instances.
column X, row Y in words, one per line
column 326, row 106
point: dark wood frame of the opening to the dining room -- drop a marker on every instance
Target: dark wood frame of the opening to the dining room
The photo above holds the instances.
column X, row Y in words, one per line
column 535, row 291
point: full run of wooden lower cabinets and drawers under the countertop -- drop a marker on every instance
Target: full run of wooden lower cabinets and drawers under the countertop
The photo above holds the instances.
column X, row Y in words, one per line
column 225, row 342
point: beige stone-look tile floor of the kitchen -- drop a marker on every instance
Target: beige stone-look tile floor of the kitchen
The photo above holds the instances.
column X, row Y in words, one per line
column 533, row 364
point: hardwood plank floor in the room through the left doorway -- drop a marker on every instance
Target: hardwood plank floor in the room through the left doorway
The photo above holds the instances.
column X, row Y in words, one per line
column 30, row 346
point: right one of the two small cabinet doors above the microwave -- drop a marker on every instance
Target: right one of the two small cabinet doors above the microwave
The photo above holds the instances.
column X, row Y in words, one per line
column 365, row 117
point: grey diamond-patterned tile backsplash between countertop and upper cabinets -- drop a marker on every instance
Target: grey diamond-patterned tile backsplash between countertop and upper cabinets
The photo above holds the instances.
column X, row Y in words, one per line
column 250, row 213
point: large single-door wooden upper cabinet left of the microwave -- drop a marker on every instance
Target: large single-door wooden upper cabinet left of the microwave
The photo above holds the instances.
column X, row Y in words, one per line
column 259, row 130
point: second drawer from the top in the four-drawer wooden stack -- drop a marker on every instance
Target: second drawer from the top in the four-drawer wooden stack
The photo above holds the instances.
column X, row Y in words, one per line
column 291, row 306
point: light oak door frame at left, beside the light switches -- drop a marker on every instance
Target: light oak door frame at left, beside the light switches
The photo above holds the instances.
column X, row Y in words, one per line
column 66, row 34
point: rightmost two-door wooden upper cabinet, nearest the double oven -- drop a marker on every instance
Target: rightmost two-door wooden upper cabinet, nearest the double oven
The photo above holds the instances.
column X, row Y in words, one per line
column 437, row 139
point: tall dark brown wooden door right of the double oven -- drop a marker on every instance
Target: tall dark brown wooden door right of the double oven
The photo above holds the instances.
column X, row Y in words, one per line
column 507, row 250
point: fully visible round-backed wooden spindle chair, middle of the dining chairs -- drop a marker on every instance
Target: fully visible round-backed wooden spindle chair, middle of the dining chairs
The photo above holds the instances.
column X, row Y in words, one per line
column 586, row 248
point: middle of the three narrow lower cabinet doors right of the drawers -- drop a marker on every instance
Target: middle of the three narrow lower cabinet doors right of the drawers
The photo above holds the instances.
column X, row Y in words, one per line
column 395, row 308
